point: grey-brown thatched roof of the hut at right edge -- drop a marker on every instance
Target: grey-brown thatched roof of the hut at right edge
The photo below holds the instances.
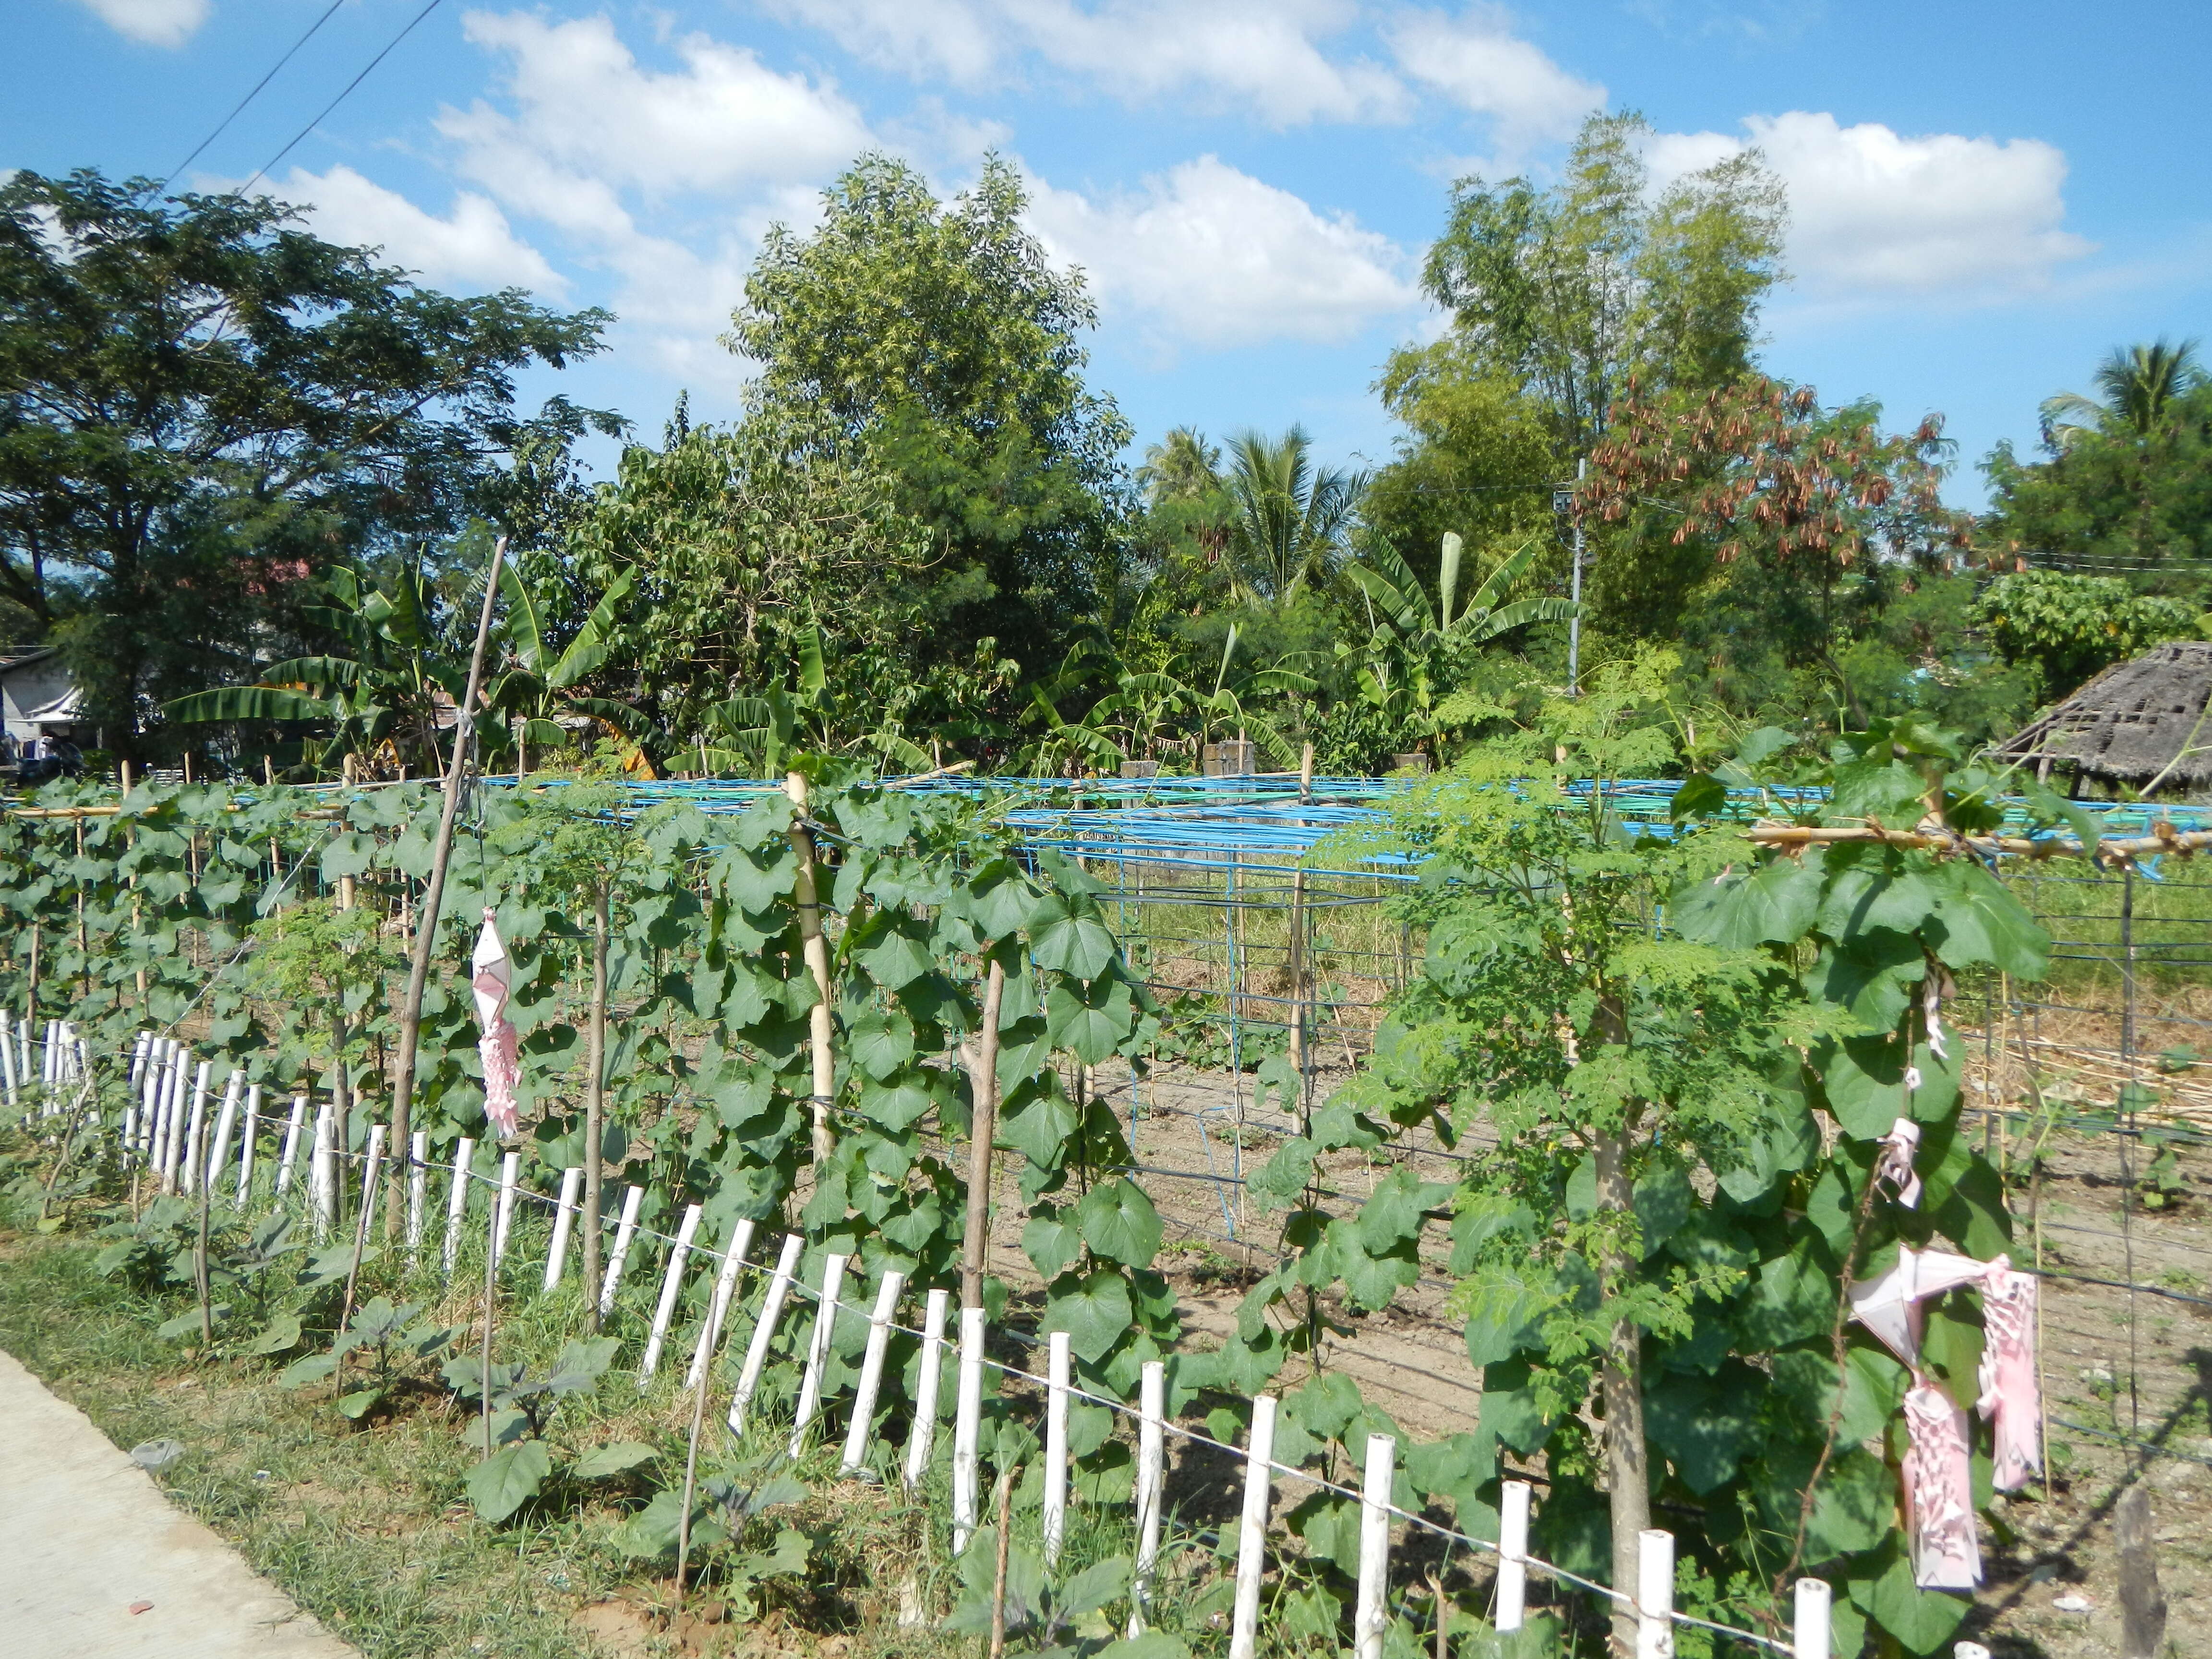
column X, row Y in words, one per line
column 2131, row 724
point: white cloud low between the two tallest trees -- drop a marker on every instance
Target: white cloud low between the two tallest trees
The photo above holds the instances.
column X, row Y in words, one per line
column 1213, row 258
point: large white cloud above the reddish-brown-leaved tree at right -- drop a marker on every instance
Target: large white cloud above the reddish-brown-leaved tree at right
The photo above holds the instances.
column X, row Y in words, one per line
column 1875, row 213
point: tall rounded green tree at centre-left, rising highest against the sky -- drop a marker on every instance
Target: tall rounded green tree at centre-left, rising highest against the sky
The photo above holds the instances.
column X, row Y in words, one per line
column 937, row 344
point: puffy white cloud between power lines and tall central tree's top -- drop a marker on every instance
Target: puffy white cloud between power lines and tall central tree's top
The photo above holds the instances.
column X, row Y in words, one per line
column 585, row 105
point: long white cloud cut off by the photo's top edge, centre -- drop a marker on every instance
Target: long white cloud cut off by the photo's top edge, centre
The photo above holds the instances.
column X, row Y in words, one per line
column 1262, row 56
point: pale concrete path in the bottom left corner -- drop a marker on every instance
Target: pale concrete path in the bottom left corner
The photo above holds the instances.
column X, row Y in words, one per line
column 98, row 1565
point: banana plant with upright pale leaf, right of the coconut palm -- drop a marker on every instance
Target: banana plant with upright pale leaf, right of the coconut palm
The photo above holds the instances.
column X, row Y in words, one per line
column 1412, row 643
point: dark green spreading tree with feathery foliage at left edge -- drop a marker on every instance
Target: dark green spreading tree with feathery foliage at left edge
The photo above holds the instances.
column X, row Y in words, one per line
column 205, row 406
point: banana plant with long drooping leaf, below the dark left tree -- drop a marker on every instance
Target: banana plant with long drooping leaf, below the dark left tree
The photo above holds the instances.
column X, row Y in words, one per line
column 386, row 700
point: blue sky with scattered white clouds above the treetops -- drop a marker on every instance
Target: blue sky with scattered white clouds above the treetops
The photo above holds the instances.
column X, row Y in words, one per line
column 1983, row 198
